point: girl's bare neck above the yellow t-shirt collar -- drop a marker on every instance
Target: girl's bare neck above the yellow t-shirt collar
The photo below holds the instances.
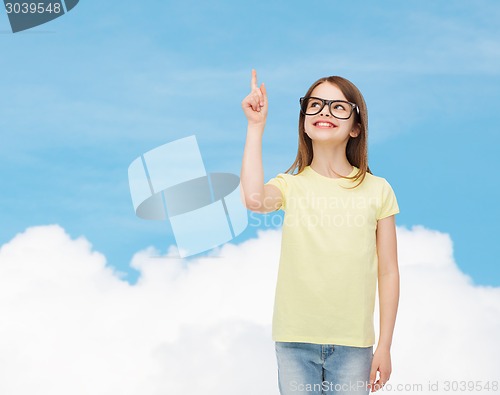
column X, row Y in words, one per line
column 326, row 160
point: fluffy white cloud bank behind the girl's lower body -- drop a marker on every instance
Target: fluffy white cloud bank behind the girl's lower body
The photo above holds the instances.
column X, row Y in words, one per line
column 69, row 324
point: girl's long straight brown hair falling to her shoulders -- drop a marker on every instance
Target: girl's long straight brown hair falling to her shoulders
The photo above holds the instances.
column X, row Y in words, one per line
column 357, row 147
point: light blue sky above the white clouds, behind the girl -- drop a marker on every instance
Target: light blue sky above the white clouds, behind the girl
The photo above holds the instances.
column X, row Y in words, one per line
column 83, row 96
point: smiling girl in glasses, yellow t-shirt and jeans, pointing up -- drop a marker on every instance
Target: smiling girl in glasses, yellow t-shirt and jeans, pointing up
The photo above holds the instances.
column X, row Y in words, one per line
column 338, row 239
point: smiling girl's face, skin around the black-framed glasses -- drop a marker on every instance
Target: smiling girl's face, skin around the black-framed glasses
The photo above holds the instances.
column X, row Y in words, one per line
column 324, row 127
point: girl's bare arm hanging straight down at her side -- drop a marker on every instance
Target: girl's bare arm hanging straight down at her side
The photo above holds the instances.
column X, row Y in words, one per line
column 388, row 285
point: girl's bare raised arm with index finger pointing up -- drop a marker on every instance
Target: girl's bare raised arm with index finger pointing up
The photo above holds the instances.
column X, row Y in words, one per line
column 256, row 196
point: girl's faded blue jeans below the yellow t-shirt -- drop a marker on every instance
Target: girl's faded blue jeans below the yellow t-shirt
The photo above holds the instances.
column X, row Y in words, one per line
column 317, row 369
